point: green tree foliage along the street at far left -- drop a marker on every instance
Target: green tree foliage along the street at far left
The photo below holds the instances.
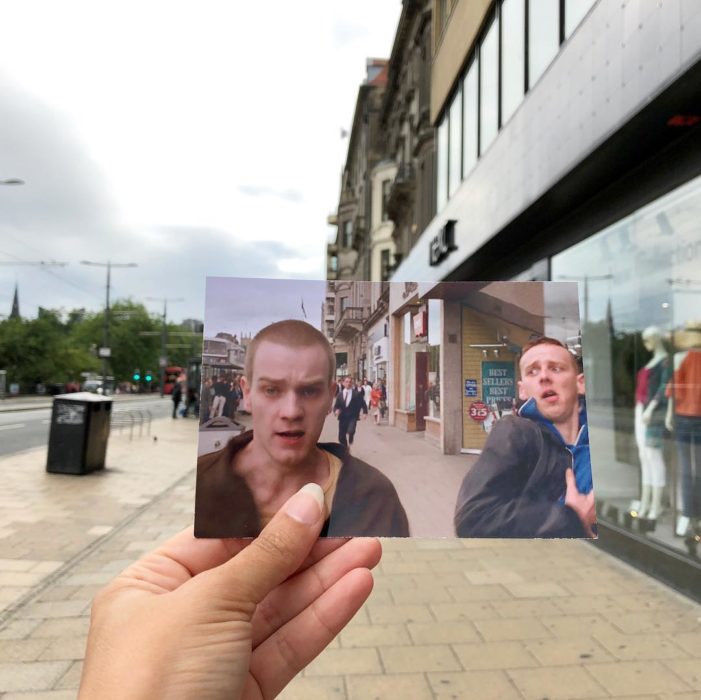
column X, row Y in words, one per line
column 56, row 347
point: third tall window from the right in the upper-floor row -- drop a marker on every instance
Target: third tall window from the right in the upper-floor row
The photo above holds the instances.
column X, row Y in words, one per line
column 513, row 23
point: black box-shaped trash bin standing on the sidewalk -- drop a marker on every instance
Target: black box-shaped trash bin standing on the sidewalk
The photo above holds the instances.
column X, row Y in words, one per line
column 80, row 426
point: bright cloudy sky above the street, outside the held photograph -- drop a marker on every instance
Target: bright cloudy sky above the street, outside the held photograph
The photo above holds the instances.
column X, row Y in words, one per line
column 191, row 139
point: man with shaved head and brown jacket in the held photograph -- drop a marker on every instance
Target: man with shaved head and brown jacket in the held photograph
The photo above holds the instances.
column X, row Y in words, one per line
column 288, row 386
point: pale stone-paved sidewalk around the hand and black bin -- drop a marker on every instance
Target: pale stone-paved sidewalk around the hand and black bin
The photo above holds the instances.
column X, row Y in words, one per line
column 447, row 619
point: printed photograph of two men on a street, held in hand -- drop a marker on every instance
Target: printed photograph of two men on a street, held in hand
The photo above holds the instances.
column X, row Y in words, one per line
column 452, row 409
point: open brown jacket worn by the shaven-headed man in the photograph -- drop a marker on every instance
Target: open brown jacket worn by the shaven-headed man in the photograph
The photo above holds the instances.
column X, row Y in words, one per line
column 365, row 503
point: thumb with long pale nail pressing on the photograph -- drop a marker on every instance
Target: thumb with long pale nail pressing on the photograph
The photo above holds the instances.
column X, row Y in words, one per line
column 278, row 551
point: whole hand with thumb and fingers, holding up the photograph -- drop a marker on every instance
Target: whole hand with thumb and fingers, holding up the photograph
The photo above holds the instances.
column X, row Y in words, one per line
column 213, row 617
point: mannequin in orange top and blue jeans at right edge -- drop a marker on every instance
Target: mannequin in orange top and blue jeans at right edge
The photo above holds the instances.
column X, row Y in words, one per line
column 684, row 419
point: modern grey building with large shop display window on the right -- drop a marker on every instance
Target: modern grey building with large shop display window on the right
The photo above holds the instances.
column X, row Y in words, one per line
column 569, row 148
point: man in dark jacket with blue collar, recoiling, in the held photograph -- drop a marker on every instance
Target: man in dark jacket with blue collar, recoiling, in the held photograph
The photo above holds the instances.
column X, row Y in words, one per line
column 533, row 478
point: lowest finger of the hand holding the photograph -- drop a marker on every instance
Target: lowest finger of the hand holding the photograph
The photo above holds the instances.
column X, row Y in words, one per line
column 277, row 660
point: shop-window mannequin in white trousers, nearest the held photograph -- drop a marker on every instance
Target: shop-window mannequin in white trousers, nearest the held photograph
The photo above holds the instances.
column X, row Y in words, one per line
column 650, row 404
